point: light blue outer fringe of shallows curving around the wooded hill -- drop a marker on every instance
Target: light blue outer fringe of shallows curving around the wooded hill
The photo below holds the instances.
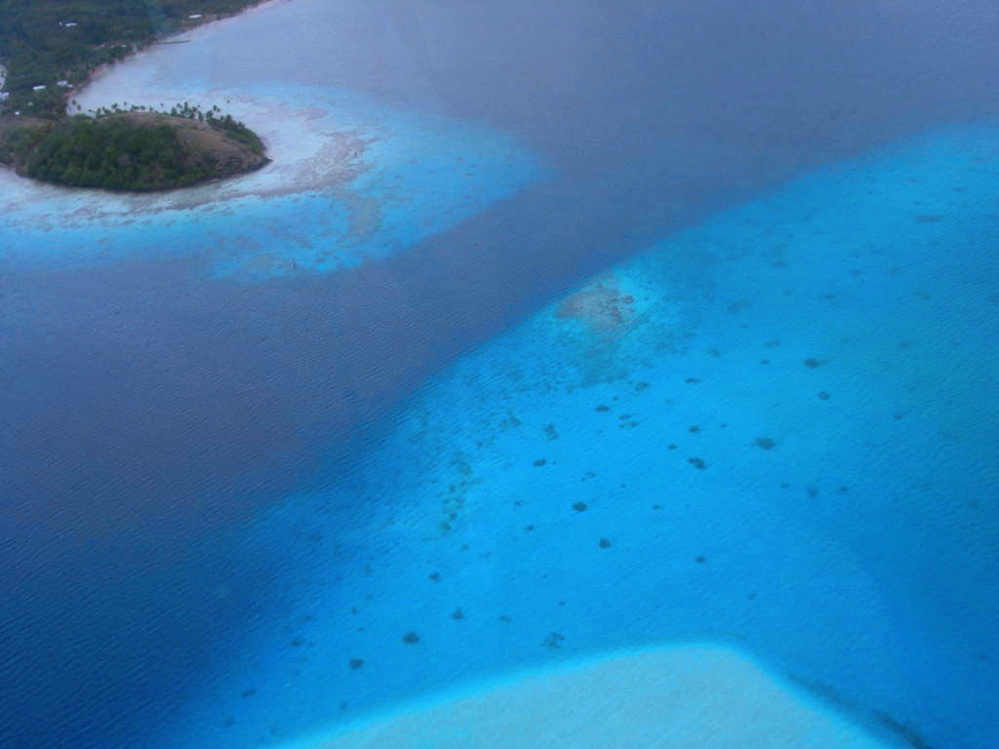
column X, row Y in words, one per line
column 416, row 175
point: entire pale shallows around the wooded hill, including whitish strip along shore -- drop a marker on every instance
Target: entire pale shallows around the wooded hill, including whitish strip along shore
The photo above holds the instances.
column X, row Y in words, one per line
column 351, row 179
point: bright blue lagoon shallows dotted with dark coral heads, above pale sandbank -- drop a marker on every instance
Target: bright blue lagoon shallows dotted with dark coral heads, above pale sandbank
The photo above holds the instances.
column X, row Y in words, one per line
column 781, row 427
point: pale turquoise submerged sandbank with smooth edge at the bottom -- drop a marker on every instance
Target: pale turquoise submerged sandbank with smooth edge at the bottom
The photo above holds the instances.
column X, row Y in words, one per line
column 691, row 697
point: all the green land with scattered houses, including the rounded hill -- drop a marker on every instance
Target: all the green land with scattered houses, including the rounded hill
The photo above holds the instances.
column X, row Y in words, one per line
column 50, row 48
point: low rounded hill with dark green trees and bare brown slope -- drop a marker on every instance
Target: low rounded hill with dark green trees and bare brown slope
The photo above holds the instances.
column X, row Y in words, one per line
column 133, row 151
